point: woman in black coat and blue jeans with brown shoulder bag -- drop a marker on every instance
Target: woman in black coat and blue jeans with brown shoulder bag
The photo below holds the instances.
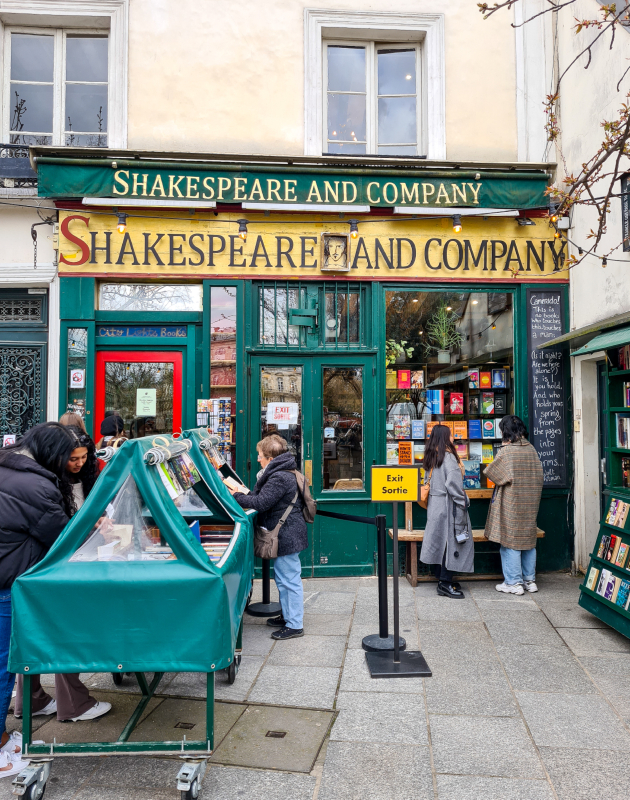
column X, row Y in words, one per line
column 276, row 489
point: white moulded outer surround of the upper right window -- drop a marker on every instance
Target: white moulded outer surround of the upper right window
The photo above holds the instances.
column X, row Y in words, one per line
column 385, row 28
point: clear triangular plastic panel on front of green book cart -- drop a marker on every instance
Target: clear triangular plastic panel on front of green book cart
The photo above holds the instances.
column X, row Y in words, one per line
column 127, row 532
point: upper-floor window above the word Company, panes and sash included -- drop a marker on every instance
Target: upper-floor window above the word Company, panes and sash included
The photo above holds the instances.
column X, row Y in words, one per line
column 372, row 103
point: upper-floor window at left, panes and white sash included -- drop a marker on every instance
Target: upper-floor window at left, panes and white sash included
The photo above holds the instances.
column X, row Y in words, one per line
column 56, row 85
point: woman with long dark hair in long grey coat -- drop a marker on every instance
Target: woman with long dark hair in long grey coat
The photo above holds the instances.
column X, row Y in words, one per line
column 448, row 539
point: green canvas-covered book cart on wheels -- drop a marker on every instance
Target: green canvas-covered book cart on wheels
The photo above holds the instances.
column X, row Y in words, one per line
column 152, row 575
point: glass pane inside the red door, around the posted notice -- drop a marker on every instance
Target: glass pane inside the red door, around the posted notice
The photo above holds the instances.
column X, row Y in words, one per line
column 122, row 381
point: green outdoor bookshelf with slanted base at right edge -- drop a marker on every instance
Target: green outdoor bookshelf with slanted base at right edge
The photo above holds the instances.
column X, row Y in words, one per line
column 605, row 591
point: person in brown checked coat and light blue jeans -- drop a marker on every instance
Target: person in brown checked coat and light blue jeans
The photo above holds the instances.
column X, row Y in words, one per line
column 518, row 477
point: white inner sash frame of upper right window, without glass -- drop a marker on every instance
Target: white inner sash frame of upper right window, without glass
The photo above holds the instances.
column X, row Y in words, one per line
column 371, row 91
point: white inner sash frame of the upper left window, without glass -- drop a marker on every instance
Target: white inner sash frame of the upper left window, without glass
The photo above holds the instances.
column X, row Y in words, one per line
column 59, row 82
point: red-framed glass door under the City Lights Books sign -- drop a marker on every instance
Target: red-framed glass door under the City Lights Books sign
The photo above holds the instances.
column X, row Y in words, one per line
column 144, row 388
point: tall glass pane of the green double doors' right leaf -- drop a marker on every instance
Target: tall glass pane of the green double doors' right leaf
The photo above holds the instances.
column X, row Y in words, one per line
column 343, row 429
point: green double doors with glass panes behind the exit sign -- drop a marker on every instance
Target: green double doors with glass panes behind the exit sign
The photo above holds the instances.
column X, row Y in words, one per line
column 324, row 406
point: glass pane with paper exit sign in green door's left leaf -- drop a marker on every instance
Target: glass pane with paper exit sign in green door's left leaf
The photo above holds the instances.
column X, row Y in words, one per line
column 283, row 385
